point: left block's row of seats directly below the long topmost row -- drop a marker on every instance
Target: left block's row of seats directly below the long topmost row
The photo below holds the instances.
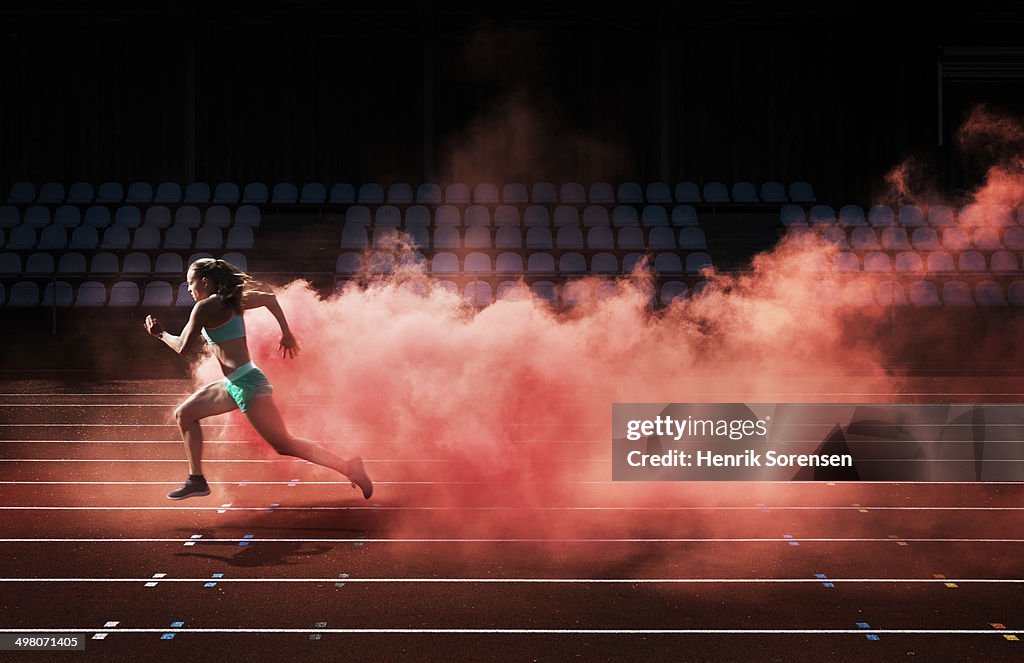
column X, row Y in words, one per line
column 69, row 217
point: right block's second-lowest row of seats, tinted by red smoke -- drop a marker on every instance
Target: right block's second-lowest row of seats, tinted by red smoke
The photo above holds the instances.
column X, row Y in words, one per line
column 912, row 262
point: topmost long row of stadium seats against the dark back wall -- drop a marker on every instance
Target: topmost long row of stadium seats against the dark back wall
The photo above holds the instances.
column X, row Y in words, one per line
column 403, row 194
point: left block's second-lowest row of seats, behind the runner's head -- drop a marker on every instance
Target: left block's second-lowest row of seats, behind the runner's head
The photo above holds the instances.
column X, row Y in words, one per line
column 107, row 264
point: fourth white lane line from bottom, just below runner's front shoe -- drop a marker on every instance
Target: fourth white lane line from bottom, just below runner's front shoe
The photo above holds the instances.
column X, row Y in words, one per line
column 57, row 508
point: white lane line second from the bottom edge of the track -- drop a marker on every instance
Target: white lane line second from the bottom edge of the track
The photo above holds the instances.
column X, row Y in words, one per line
column 551, row 582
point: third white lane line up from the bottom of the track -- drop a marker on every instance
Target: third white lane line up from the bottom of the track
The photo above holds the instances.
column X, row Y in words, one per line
column 522, row 541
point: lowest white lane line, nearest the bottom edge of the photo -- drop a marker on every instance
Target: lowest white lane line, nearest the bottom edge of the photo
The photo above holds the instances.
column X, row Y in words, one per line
column 541, row 632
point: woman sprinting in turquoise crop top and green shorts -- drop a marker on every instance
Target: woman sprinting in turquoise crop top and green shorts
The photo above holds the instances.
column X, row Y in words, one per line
column 221, row 295
